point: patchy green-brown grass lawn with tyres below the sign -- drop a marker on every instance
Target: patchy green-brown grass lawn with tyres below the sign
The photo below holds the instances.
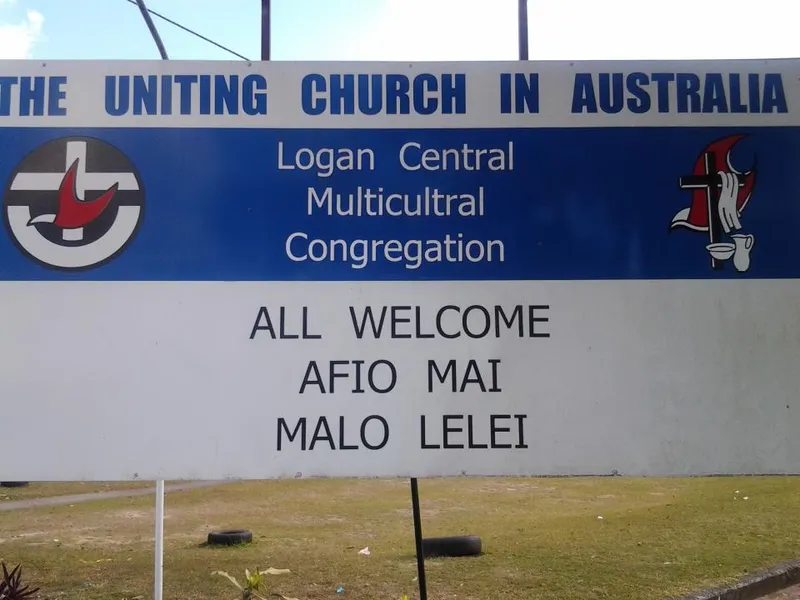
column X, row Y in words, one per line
column 542, row 538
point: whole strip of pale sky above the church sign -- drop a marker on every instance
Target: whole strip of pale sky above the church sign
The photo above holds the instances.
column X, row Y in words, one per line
column 405, row 30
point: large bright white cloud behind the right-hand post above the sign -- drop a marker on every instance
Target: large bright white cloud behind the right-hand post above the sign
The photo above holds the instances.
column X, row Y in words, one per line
column 474, row 30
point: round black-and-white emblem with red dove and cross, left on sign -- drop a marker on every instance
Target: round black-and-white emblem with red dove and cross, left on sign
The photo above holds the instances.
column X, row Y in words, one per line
column 73, row 203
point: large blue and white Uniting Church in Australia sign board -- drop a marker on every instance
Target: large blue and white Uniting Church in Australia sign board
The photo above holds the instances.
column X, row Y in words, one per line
column 249, row 270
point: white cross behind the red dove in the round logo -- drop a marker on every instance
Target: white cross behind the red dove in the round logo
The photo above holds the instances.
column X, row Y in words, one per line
column 40, row 182
